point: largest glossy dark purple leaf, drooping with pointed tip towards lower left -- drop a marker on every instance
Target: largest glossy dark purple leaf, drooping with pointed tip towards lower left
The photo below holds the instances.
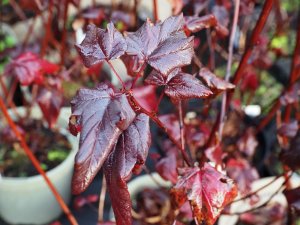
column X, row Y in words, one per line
column 103, row 116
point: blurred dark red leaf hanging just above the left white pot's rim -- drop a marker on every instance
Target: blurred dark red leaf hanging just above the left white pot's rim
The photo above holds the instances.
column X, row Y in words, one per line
column 50, row 101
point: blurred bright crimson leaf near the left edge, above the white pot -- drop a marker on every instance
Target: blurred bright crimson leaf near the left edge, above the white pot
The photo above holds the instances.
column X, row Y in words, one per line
column 29, row 68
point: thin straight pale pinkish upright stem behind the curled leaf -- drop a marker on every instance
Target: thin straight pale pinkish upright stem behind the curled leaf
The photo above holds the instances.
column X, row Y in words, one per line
column 229, row 63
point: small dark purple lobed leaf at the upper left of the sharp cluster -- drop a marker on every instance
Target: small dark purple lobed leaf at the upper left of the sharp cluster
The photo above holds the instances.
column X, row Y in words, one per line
column 100, row 45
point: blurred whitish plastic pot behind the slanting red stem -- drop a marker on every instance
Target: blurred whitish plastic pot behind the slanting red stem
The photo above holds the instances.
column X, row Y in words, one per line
column 29, row 200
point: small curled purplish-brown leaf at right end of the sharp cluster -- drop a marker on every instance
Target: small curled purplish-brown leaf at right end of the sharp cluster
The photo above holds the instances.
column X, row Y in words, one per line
column 213, row 82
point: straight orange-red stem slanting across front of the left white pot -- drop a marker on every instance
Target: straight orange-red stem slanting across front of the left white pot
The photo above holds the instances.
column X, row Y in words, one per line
column 36, row 164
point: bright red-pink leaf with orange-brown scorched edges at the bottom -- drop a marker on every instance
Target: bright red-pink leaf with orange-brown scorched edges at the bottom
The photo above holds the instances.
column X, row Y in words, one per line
column 208, row 191
